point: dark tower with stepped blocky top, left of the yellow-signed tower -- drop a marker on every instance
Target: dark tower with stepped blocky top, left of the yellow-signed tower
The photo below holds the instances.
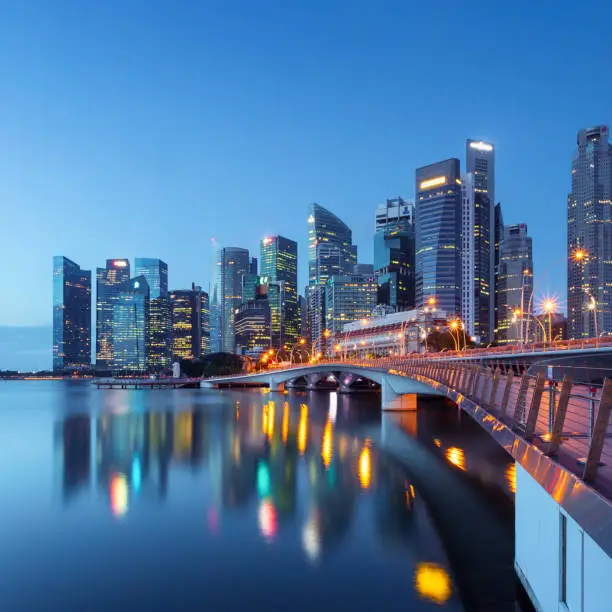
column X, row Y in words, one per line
column 394, row 252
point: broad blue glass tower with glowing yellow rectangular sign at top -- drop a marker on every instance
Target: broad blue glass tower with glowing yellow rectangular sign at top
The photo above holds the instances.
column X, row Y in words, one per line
column 438, row 235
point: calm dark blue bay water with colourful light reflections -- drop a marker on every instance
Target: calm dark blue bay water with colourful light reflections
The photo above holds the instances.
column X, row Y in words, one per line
column 189, row 500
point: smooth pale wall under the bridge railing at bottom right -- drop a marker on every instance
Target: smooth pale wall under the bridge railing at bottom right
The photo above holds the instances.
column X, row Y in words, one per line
column 538, row 527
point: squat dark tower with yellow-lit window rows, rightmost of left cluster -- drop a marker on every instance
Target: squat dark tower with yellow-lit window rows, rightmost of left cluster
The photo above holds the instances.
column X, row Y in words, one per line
column 190, row 323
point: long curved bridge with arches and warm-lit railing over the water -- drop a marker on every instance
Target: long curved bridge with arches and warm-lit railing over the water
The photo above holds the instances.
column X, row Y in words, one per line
column 557, row 430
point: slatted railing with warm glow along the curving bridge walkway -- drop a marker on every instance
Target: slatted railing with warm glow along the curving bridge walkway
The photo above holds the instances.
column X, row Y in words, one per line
column 565, row 418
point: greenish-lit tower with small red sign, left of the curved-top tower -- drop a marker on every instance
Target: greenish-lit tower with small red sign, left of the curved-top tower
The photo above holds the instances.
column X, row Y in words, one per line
column 278, row 265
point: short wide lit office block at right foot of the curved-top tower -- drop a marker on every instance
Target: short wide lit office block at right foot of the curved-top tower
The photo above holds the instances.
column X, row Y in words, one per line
column 349, row 298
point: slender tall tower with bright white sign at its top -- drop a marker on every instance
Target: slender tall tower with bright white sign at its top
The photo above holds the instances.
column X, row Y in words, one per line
column 478, row 236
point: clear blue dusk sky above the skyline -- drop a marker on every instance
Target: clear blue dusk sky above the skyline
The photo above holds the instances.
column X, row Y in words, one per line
column 145, row 128
